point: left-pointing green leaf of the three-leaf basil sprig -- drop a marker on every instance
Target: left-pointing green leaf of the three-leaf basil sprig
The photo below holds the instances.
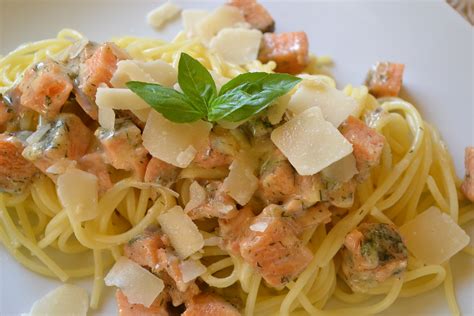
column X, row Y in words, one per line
column 174, row 105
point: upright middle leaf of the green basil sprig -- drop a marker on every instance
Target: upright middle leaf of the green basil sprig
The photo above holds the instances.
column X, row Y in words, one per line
column 196, row 81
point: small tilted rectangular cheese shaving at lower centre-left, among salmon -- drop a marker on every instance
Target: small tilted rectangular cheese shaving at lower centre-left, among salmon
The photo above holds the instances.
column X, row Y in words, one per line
column 183, row 233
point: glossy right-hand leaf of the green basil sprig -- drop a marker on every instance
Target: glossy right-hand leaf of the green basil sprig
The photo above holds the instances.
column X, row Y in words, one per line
column 249, row 94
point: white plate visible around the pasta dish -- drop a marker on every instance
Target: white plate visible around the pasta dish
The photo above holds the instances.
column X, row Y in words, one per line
column 434, row 42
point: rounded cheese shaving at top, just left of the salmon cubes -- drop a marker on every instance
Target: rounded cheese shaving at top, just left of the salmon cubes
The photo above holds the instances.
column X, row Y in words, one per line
column 237, row 46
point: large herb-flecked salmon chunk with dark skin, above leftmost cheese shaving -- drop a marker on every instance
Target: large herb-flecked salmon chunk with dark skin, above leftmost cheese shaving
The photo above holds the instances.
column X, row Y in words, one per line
column 67, row 138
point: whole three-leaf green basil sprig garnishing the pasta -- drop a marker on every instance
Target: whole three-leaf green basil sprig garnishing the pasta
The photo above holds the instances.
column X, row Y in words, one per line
column 240, row 98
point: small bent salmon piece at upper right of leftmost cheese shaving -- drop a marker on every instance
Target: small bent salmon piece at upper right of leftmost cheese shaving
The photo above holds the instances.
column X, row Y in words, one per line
column 94, row 163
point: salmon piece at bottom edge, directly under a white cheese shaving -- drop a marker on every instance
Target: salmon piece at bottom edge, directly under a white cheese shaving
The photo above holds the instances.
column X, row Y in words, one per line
column 157, row 308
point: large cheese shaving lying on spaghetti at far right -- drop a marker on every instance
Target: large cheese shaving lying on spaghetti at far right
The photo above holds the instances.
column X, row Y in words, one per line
column 433, row 236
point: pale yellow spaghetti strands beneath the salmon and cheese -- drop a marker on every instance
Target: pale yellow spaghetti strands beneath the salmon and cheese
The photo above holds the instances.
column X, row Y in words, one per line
column 411, row 177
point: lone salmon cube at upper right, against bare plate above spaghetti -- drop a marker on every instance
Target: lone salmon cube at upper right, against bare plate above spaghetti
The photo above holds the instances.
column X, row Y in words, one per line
column 385, row 79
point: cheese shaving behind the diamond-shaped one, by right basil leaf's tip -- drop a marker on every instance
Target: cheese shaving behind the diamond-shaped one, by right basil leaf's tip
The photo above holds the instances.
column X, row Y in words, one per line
column 335, row 105
